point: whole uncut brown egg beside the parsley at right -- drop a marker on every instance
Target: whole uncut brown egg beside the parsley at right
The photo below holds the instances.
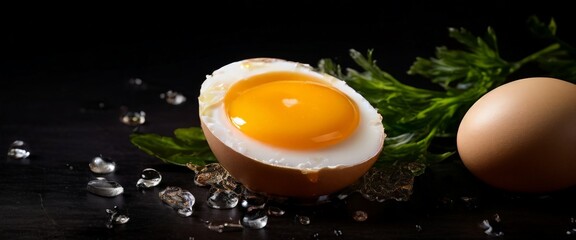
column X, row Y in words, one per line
column 521, row 136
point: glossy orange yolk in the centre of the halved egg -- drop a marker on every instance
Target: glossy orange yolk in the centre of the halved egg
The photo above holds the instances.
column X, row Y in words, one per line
column 291, row 110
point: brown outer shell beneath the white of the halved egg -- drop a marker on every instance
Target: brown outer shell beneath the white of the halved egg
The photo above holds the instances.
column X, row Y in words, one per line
column 283, row 181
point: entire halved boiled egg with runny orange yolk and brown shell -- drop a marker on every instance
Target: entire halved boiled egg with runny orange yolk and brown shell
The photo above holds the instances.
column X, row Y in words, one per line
column 283, row 129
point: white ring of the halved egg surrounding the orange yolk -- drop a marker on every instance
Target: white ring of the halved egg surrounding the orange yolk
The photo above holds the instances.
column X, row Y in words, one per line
column 363, row 144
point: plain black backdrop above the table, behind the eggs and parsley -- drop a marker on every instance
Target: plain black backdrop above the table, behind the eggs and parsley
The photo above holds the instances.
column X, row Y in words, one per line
column 194, row 40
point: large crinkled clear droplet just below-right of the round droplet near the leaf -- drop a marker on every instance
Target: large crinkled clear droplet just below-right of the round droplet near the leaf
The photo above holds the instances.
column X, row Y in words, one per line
column 179, row 199
